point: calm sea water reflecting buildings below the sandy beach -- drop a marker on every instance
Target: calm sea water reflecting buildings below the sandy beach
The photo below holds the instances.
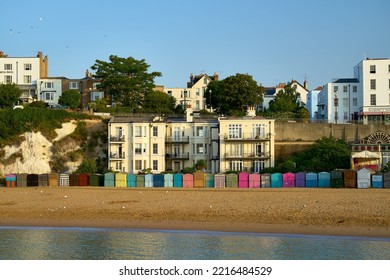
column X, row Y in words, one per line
column 21, row 243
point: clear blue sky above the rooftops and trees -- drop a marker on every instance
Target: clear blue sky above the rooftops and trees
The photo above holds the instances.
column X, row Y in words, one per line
column 274, row 41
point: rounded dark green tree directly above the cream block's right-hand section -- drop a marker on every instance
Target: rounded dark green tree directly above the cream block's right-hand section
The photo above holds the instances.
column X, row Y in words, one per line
column 234, row 93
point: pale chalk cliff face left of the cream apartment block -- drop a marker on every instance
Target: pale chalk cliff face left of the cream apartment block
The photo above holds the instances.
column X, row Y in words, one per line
column 36, row 154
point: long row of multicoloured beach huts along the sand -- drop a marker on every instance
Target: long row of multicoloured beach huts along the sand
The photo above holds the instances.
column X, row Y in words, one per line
column 363, row 178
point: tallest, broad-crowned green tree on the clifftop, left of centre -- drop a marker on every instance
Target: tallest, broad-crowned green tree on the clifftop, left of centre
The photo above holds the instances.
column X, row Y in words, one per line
column 125, row 79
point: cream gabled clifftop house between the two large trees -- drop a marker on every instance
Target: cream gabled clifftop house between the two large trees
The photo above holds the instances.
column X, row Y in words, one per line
column 194, row 93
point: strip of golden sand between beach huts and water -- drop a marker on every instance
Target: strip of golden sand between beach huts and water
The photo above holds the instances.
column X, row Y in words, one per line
column 348, row 212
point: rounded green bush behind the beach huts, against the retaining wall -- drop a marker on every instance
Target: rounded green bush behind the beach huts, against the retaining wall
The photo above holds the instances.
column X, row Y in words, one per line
column 326, row 154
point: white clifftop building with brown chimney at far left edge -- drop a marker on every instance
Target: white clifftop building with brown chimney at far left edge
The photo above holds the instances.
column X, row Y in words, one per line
column 24, row 72
